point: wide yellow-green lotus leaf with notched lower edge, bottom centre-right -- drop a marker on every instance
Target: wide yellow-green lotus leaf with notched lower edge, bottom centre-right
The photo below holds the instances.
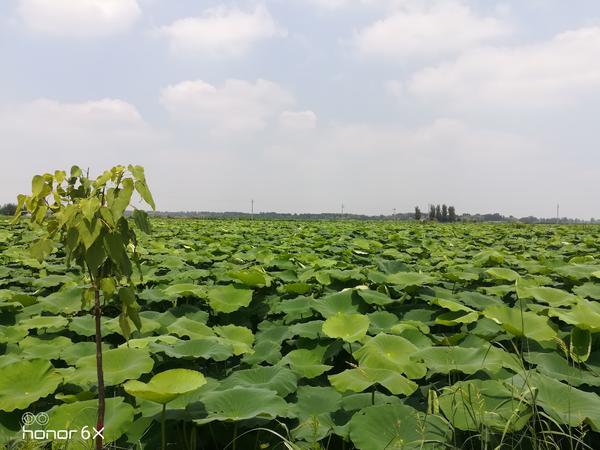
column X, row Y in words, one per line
column 361, row 378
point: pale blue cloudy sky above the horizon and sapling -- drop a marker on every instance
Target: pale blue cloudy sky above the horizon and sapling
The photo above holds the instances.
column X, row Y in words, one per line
column 303, row 105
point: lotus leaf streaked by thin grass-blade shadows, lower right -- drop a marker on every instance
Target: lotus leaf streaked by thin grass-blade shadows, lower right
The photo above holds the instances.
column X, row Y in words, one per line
column 469, row 405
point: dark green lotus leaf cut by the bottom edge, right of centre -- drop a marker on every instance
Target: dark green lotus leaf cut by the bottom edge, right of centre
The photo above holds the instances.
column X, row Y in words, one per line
column 397, row 427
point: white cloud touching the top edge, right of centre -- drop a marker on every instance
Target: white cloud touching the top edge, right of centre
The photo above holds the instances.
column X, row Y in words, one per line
column 438, row 29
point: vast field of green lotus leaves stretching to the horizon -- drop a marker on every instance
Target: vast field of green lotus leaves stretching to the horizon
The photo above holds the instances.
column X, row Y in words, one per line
column 311, row 335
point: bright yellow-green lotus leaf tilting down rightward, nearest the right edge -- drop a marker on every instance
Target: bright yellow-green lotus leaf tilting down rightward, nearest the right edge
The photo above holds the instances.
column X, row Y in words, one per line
column 521, row 323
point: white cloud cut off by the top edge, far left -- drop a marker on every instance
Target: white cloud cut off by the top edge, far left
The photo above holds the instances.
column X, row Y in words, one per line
column 79, row 18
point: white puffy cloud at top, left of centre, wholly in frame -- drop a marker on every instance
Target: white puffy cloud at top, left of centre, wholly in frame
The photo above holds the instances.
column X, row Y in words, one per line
column 221, row 31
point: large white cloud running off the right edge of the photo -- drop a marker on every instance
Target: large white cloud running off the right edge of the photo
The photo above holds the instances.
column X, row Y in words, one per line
column 559, row 72
